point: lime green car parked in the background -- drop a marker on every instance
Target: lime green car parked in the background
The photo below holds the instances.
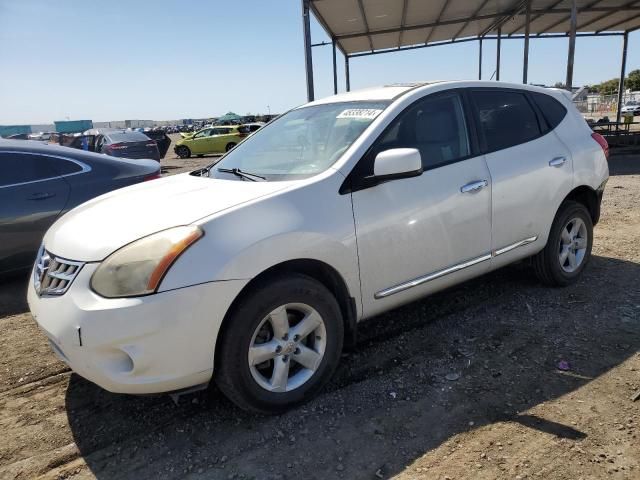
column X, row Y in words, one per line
column 210, row 140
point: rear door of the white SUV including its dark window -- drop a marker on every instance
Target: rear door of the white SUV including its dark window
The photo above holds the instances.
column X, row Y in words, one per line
column 530, row 167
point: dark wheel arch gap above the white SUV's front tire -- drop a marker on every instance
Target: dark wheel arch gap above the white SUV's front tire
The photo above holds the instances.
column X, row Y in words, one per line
column 318, row 270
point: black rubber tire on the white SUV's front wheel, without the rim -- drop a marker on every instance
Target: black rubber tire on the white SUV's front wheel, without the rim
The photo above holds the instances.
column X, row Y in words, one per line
column 232, row 371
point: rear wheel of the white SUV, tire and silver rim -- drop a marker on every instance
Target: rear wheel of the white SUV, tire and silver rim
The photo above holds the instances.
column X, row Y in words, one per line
column 568, row 247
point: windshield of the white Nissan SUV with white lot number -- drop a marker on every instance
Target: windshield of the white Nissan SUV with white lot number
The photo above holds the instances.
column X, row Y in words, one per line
column 300, row 143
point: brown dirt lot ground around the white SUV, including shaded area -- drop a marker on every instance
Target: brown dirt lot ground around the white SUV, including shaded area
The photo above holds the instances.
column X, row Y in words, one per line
column 463, row 384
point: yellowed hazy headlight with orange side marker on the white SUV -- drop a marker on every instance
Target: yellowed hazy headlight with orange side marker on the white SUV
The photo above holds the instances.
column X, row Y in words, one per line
column 138, row 268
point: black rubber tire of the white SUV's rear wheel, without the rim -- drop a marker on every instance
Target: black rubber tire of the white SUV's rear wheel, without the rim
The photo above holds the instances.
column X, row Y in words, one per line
column 546, row 263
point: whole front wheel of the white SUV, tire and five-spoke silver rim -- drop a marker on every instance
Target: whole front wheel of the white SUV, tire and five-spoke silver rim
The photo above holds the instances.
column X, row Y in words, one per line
column 282, row 343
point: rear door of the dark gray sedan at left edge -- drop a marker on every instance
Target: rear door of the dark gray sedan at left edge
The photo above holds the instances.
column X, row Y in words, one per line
column 32, row 195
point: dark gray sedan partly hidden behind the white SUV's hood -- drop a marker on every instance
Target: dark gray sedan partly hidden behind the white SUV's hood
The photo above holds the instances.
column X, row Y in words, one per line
column 39, row 183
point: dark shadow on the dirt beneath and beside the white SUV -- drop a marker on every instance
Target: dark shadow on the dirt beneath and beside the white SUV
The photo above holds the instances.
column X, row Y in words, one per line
column 458, row 360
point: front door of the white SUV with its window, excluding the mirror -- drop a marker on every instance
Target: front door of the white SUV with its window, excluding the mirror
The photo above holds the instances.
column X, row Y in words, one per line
column 417, row 235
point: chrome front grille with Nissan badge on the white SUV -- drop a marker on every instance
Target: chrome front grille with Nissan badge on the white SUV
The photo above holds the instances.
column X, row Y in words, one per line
column 53, row 275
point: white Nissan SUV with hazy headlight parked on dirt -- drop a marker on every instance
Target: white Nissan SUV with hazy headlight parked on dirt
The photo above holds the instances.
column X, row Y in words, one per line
column 255, row 271
